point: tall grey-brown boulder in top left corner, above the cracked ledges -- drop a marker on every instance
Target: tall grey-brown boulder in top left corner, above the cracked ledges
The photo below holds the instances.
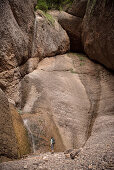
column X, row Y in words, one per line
column 16, row 31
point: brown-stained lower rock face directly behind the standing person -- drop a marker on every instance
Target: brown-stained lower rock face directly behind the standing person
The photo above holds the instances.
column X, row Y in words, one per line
column 42, row 127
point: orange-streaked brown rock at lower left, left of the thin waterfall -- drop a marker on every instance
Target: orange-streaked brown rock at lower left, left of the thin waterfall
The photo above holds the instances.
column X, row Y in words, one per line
column 13, row 137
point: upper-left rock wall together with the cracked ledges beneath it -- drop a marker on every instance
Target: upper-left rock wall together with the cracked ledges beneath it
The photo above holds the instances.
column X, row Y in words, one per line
column 16, row 35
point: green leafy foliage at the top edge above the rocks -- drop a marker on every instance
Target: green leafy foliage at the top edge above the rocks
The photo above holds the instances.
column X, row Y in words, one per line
column 45, row 5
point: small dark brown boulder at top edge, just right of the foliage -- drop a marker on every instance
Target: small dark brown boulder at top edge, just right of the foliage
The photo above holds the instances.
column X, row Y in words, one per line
column 78, row 8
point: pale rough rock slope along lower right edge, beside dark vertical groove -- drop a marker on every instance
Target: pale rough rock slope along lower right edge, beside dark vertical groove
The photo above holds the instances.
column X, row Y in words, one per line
column 98, row 150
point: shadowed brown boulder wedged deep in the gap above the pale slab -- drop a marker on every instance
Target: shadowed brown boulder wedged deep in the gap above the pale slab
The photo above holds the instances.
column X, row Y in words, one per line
column 72, row 25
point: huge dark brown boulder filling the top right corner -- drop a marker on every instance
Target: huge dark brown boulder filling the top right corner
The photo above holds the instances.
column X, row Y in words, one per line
column 97, row 34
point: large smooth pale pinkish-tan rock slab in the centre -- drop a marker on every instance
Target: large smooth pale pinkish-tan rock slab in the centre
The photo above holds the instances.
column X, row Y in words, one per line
column 67, row 88
